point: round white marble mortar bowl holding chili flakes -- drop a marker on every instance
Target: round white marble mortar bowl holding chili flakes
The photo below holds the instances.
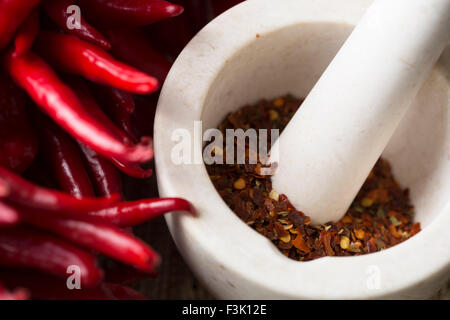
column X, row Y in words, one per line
column 260, row 50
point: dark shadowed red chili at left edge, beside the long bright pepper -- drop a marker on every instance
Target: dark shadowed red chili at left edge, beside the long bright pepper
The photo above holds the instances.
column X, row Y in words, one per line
column 18, row 144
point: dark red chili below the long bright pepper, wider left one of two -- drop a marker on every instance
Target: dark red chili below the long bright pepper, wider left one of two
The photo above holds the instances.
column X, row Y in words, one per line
column 64, row 159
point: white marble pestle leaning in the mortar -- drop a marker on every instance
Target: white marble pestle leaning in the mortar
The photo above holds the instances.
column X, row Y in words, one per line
column 333, row 141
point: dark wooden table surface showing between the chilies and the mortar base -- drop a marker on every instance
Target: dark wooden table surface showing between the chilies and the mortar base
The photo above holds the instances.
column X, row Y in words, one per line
column 175, row 280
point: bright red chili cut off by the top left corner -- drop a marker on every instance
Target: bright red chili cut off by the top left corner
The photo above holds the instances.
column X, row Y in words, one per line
column 12, row 14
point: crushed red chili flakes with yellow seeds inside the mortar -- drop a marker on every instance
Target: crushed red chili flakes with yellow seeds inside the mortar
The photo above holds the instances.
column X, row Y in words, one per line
column 380, row 217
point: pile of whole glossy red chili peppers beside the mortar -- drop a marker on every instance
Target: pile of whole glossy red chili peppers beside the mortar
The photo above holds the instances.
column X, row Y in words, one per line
column 75, row 113
